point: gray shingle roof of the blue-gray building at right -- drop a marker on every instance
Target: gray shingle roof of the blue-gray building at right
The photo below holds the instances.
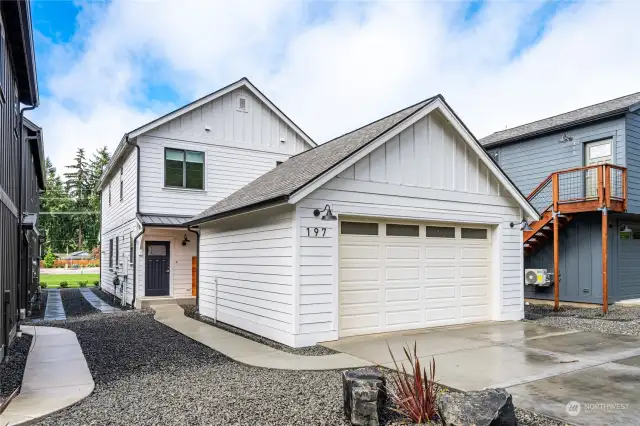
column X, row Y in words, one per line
column 557, row 122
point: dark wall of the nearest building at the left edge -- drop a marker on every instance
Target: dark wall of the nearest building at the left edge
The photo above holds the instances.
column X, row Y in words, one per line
column 9, row 160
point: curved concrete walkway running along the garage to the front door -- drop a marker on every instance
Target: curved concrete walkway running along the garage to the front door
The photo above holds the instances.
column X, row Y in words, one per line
column 247, row 351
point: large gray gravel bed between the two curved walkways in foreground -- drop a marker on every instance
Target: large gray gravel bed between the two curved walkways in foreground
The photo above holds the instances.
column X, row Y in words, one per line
column 148, row 374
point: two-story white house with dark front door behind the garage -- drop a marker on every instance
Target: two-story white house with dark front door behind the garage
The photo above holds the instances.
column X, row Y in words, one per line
column 174, row 167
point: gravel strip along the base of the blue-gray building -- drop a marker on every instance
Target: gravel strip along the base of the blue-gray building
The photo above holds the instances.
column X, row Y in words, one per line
column 619, row 319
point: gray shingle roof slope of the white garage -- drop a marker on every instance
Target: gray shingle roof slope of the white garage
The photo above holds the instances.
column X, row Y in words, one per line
column 299, row 170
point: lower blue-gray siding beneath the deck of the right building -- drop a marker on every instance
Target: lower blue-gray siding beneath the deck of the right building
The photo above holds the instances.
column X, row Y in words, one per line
column 580, row 261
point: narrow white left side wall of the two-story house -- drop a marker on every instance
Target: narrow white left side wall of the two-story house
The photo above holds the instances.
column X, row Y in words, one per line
column 119, row 221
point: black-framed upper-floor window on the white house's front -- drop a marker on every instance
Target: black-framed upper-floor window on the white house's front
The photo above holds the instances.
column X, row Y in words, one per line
column 183, row 169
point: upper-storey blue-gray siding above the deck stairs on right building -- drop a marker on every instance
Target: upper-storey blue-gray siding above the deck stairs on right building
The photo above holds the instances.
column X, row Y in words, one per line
column 529, row 162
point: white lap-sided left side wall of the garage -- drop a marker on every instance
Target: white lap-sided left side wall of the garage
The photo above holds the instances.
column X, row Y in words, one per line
column 246, row 273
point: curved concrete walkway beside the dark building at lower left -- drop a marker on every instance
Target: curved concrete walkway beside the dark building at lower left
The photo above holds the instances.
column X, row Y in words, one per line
column 56, row 376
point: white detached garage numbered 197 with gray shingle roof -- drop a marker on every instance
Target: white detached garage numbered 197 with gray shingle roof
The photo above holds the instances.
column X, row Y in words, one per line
column 425, row 232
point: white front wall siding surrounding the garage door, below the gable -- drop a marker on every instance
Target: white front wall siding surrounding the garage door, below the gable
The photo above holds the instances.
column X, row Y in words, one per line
column 427, row 173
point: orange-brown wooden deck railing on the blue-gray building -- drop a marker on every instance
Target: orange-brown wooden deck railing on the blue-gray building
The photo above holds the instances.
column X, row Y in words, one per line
column 582, row 189
